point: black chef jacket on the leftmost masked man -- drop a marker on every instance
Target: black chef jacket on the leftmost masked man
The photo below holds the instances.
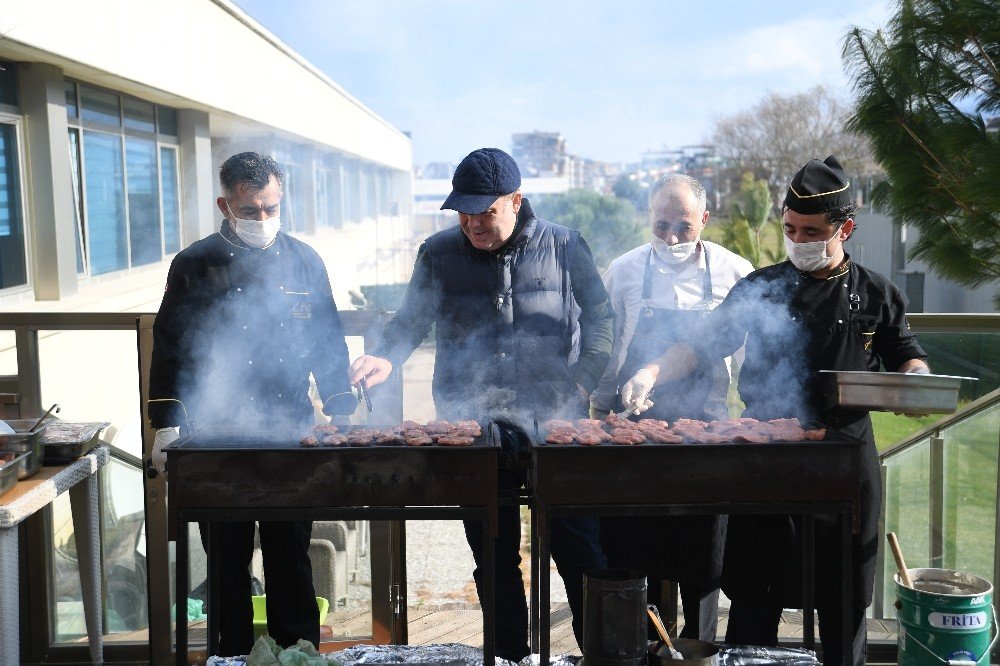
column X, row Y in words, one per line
column 238, row 332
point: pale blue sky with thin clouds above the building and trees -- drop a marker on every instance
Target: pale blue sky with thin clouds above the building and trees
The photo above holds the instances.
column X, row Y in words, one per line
column 616, row 77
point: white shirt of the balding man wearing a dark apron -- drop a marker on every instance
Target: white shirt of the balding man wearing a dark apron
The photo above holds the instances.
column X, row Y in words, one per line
column 670, row 291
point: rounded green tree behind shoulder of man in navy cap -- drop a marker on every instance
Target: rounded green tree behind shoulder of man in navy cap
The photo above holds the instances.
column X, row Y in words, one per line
column 610, row 225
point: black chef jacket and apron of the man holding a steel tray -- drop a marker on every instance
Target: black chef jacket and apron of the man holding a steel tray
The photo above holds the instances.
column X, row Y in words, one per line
column 795, row 325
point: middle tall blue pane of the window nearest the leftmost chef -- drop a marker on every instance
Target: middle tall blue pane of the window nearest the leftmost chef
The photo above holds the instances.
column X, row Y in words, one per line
column 143, row 200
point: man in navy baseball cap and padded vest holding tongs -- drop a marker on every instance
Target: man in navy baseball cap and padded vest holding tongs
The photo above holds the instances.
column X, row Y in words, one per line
column 505, row 292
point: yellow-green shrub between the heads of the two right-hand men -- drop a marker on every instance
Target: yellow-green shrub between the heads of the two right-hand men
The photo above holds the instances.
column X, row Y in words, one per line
column 751, row 230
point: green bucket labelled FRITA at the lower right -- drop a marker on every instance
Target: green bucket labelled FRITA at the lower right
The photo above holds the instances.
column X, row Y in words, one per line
column 946, row 619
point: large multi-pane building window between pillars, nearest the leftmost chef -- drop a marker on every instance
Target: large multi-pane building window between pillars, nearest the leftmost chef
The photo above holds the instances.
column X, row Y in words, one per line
column 125, row 173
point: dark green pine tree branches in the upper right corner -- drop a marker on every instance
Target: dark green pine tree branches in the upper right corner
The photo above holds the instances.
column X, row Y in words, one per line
column 925, row 85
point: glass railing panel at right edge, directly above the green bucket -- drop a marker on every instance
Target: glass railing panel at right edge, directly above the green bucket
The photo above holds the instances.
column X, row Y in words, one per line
column 970, row 492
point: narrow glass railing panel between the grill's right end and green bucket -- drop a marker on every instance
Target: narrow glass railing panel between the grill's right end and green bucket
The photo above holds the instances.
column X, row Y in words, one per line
column 907, row 510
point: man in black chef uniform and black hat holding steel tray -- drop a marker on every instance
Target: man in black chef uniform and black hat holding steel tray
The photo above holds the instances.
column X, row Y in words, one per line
column 817, row 311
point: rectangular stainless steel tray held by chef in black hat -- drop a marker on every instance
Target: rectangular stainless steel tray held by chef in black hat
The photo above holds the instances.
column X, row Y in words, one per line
column 902, row 392
